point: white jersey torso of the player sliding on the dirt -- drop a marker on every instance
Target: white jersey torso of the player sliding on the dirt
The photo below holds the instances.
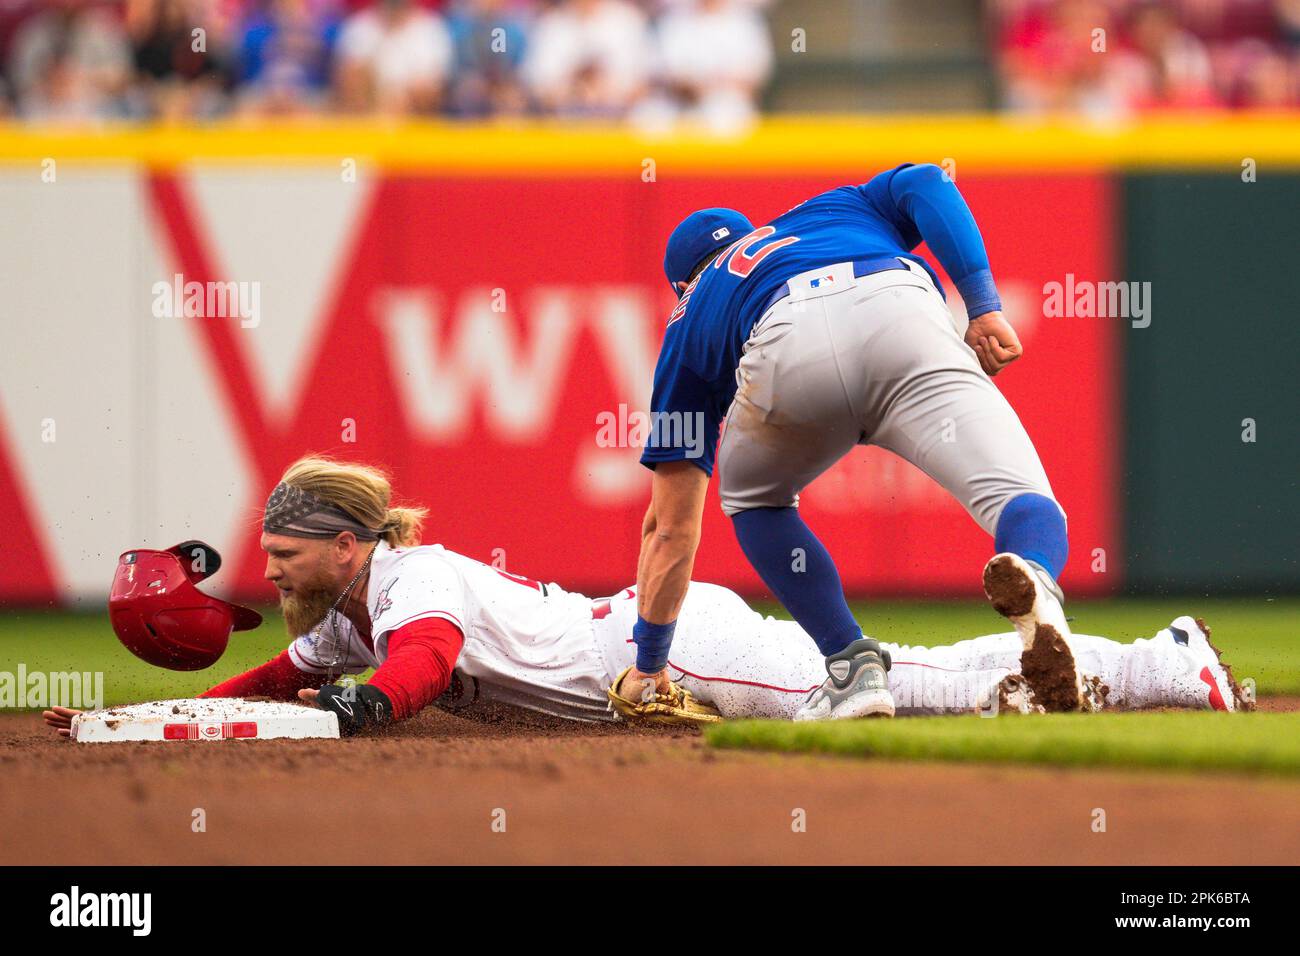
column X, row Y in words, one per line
column 527, row 644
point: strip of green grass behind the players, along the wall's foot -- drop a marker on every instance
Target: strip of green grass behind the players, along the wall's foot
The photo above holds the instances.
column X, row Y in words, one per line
column 1260, row 638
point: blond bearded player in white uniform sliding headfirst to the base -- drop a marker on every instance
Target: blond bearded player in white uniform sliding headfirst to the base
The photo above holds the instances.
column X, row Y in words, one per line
column 441, row 628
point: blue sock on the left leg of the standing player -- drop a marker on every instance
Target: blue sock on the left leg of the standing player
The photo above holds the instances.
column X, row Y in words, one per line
column 798, row 569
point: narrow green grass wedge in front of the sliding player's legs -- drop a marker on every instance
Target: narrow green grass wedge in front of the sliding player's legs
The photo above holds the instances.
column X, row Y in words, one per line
column 1173, row 741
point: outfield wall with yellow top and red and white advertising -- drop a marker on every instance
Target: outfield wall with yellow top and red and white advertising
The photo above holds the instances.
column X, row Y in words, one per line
column 470, row 308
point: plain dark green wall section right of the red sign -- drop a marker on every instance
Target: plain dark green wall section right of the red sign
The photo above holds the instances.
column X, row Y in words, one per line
column 1212, row 410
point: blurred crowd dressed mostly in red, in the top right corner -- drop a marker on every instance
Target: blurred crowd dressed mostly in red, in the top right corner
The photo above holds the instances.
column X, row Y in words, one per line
column 1155, row 57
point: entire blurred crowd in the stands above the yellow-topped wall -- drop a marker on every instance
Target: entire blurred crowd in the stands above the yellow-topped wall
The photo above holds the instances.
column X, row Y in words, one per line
column 651, row 62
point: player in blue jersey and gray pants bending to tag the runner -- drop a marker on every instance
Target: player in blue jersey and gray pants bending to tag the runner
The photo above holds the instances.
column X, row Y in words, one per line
column 814, row 334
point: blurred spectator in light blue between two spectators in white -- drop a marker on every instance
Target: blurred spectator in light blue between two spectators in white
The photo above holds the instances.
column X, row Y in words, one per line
column 489, row 40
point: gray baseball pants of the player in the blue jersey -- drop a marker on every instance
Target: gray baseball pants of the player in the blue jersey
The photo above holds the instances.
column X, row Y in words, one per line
column 872, row 361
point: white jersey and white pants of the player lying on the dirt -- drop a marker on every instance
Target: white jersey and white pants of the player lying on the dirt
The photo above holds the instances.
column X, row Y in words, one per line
column 539, row 647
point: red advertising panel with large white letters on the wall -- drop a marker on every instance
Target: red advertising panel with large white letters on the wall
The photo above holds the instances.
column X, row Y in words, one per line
column 486, row 339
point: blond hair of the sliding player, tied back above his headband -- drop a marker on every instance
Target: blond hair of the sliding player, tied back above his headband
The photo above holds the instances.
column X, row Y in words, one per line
column 363, row 491
